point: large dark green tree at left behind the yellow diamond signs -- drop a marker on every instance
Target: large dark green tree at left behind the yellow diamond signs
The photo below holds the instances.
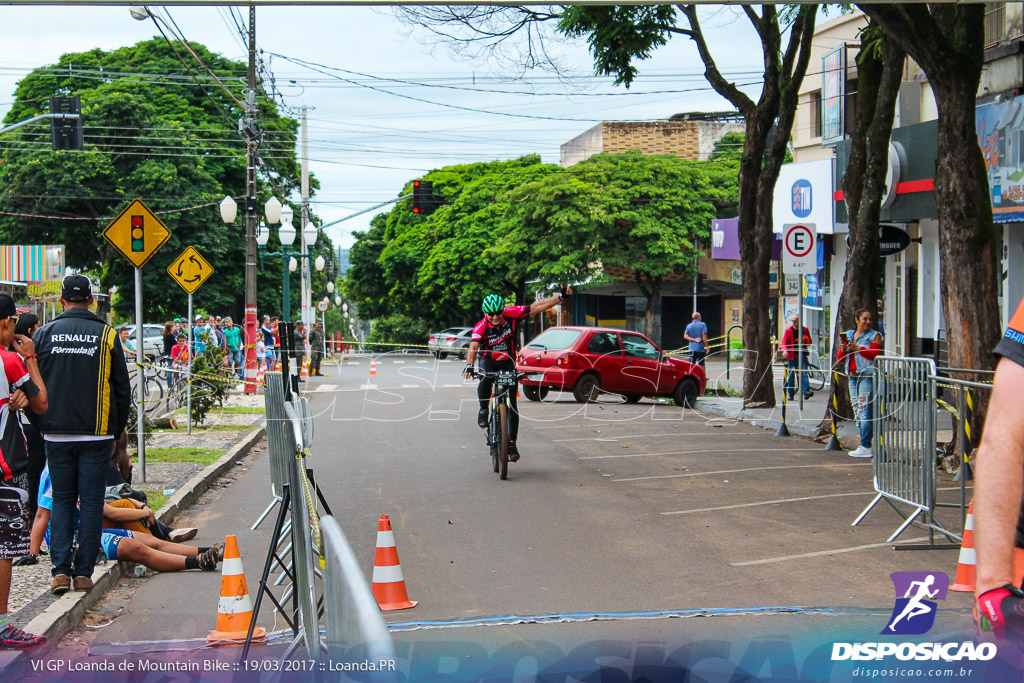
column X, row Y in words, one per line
column 151, row 133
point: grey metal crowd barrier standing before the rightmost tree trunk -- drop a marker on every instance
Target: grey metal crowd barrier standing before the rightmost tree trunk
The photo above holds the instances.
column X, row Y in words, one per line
column 904, row 415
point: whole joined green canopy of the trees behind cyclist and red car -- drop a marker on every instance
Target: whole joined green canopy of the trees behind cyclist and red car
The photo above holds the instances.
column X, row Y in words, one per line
column 508, row 226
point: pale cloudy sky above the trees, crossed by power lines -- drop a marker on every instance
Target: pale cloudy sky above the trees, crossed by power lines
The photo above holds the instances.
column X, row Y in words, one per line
column 390, row 104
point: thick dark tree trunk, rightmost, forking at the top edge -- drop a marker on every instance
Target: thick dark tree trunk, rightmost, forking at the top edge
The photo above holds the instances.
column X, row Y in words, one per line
column 949, row 44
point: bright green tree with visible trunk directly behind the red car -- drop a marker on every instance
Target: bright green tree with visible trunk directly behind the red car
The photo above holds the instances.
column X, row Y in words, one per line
column 632, row 212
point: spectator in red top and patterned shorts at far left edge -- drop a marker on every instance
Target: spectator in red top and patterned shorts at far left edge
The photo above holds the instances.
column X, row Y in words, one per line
column 22, row 388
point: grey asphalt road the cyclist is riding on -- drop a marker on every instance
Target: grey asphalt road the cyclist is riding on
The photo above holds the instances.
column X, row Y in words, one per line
column 614, row 510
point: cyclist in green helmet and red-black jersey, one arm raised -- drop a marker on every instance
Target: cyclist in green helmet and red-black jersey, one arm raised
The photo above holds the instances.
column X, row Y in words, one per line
column 495, row 338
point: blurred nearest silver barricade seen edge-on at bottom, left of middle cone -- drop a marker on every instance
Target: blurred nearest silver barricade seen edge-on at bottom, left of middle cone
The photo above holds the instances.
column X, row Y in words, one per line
column 356, row 628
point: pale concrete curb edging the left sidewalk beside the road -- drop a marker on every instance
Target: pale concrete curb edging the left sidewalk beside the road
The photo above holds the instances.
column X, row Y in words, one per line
column 65, row 615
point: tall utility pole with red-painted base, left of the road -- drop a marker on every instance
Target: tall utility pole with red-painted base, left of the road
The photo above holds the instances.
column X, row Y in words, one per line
column 251, row 214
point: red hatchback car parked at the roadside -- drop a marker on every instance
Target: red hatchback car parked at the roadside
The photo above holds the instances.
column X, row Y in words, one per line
column 589, row 361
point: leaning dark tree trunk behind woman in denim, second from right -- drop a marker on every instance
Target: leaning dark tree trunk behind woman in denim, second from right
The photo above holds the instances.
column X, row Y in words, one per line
column 879, row 77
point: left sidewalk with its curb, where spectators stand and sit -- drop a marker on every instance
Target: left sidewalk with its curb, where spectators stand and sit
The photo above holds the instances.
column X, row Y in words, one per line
column 177, row 485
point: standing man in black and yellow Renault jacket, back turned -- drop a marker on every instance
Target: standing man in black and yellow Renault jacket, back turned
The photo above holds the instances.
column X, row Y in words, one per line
column 83, row 366
